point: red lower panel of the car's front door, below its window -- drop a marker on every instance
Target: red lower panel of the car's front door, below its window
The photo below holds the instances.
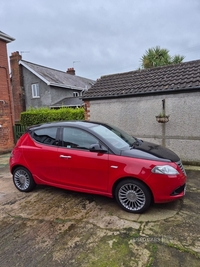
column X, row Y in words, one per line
column 84, row 169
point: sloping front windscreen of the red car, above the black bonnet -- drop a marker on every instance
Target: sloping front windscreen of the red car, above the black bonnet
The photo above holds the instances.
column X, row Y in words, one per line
column 114, row 136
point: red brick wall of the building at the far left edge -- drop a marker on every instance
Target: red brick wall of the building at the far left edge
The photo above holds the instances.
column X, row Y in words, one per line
column 6, row 110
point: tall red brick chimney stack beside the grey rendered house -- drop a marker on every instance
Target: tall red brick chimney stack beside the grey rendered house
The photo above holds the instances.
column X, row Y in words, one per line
column 17, row 85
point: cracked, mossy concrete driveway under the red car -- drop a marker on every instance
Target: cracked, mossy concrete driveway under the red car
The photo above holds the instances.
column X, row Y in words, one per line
column 54, row 227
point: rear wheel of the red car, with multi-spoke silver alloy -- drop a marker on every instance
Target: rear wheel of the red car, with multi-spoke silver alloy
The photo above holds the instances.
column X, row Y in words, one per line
column 23, row 180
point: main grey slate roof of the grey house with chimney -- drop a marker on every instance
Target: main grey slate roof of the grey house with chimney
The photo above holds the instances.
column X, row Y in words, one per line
column 58, row 78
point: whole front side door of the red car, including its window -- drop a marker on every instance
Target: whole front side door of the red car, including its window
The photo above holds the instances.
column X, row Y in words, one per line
column 79, row 167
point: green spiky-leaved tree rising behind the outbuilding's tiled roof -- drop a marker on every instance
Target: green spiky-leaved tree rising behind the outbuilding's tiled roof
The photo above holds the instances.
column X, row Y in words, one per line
column 155, row 57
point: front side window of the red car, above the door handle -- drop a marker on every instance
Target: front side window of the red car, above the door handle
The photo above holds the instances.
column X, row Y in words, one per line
column 77, row 138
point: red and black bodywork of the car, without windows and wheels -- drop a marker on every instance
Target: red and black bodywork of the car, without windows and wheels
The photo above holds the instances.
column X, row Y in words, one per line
column 95, row 171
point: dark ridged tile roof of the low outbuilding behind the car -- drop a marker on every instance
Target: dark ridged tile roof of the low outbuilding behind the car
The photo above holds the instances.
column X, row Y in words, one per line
column 171, row 78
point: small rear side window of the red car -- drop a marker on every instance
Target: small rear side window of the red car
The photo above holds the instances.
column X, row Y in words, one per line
column 46, row 136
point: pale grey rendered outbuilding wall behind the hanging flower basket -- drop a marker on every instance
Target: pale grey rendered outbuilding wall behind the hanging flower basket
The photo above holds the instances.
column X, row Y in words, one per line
column 136, row 115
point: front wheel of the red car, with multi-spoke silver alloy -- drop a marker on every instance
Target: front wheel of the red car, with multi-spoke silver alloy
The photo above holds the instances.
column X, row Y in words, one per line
column 133, row 196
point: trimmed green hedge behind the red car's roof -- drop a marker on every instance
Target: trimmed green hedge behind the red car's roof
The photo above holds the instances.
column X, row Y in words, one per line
column 42, row 115
